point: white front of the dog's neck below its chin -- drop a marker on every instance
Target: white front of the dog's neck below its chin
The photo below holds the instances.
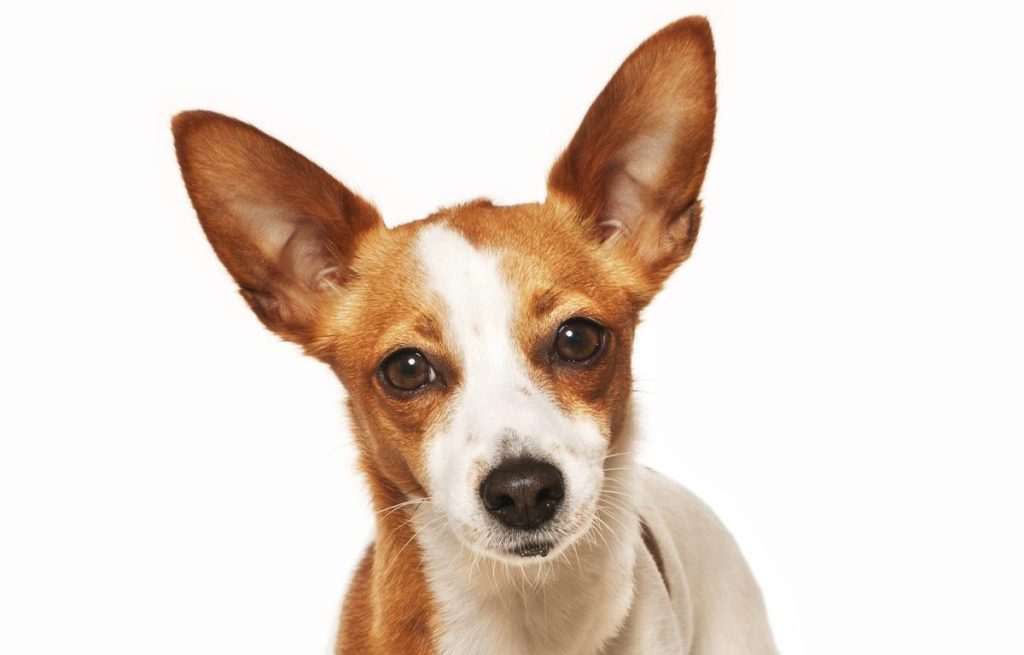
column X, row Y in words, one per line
column 574, row 601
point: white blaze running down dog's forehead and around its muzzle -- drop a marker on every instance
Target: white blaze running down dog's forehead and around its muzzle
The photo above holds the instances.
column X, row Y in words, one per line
column 497, row 406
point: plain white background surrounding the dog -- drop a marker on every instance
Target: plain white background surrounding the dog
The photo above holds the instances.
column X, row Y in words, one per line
column 838, row 371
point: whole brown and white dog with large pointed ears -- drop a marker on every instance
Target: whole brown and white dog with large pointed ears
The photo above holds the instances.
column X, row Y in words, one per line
column 486, row 355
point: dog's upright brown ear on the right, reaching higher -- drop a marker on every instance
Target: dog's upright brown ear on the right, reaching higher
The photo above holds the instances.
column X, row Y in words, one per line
column 633, row 171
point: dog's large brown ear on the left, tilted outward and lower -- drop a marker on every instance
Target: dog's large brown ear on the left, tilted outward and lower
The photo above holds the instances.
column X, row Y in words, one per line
column 284, row 229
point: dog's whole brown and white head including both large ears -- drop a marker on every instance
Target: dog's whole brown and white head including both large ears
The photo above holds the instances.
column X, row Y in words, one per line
column 486, row 350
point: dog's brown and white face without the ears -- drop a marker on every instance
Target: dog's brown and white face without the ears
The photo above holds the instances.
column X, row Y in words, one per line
column 505, row 342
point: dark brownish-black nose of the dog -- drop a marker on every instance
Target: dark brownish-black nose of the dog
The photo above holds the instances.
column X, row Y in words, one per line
column 523, row 494
